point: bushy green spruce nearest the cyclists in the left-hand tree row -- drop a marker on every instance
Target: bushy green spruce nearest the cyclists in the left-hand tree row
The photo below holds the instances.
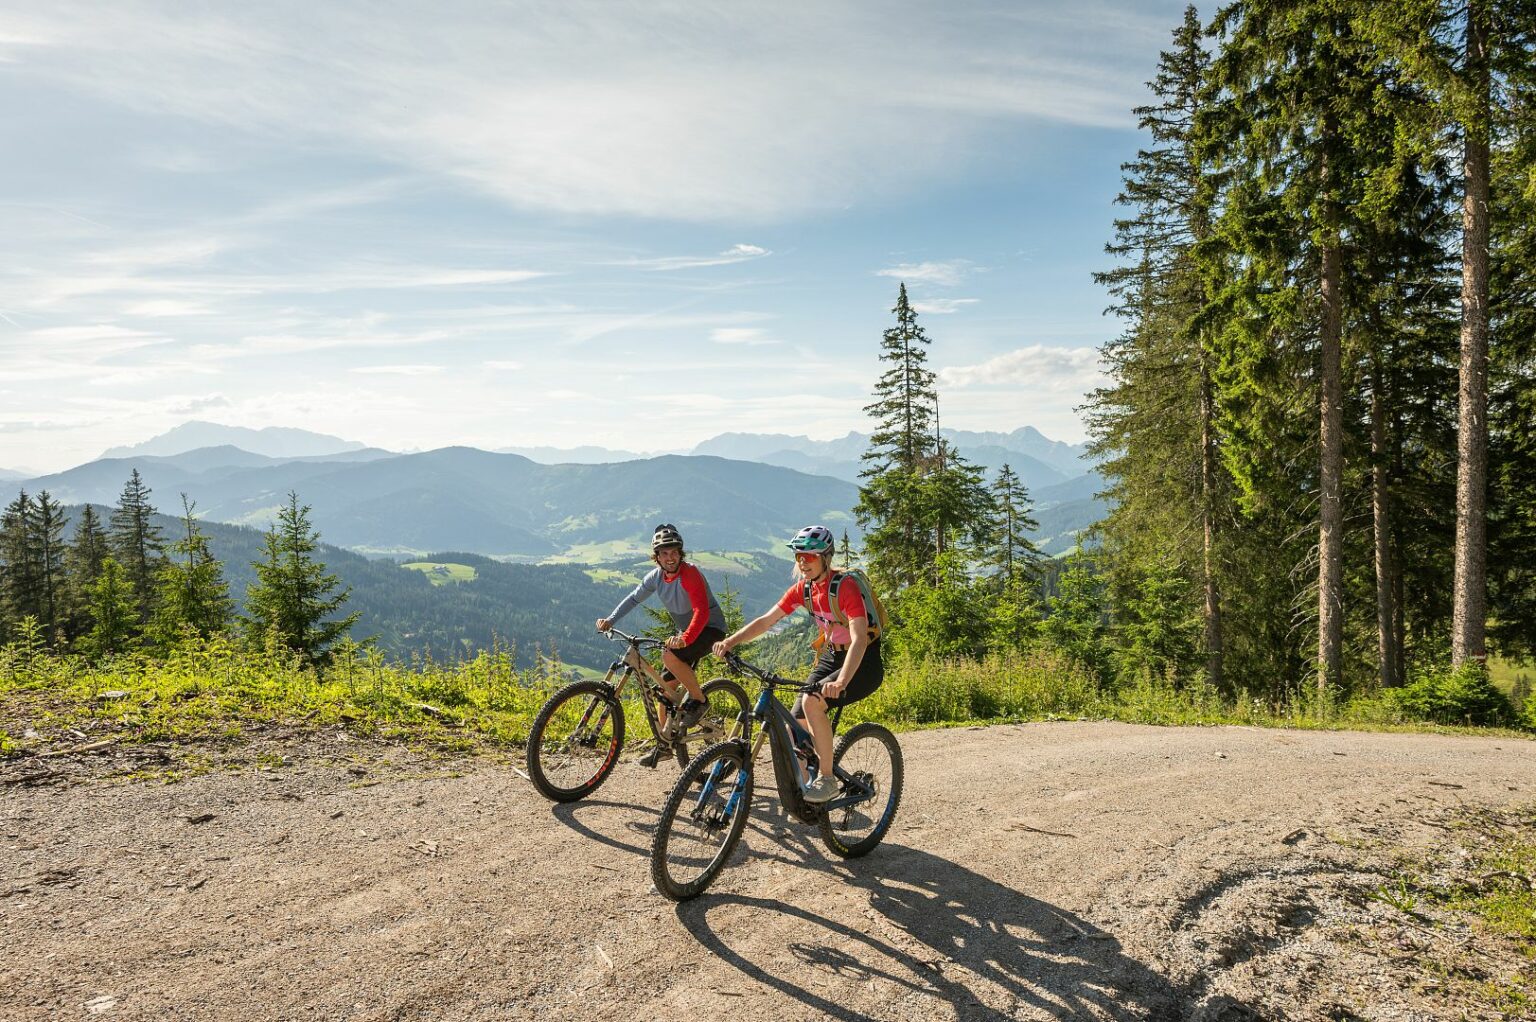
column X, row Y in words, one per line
column 294, row 594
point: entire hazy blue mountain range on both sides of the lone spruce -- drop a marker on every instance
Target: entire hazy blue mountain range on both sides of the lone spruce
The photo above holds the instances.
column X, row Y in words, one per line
column 588, row 505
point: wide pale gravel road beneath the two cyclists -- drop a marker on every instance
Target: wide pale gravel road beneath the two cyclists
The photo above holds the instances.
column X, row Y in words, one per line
column 1045, row 871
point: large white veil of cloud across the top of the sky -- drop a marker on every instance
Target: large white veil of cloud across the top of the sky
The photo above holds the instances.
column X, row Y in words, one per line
column 652, row 111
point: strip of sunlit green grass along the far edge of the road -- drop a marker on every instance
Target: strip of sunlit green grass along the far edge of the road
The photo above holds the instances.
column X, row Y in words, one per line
column 213, row 691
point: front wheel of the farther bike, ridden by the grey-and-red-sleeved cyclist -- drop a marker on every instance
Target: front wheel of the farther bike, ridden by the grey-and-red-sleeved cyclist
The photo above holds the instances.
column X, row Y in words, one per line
column 575, row 742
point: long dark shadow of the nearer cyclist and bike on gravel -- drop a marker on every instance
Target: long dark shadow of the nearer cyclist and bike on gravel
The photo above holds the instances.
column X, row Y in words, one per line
column 945, row 934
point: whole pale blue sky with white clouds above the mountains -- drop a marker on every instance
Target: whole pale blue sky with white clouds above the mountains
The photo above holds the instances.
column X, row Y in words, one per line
column 526, row 224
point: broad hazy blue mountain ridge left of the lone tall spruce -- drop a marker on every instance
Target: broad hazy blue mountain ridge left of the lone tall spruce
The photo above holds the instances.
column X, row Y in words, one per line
column 497, row 505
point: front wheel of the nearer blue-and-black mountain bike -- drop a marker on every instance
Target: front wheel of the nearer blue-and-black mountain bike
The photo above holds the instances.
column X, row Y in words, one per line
column 701, row 828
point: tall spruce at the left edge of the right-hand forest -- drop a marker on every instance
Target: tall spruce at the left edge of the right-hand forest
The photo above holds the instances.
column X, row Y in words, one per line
column 1156, row 425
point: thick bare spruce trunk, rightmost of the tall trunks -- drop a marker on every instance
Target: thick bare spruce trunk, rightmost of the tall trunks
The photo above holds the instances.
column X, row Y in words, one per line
column 1469, row 617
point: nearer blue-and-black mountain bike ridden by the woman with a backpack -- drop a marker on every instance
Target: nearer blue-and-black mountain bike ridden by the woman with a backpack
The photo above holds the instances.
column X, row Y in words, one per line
column 701, row 826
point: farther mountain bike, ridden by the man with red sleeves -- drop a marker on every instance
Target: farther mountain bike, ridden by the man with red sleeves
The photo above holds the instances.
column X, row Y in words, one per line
column 578, row 734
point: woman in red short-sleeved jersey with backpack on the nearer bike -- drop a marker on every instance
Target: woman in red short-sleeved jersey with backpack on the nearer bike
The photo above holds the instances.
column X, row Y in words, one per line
column 850, row 666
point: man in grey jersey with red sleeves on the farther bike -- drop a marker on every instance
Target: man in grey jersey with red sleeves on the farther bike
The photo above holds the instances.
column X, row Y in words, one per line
column 695, row 612
